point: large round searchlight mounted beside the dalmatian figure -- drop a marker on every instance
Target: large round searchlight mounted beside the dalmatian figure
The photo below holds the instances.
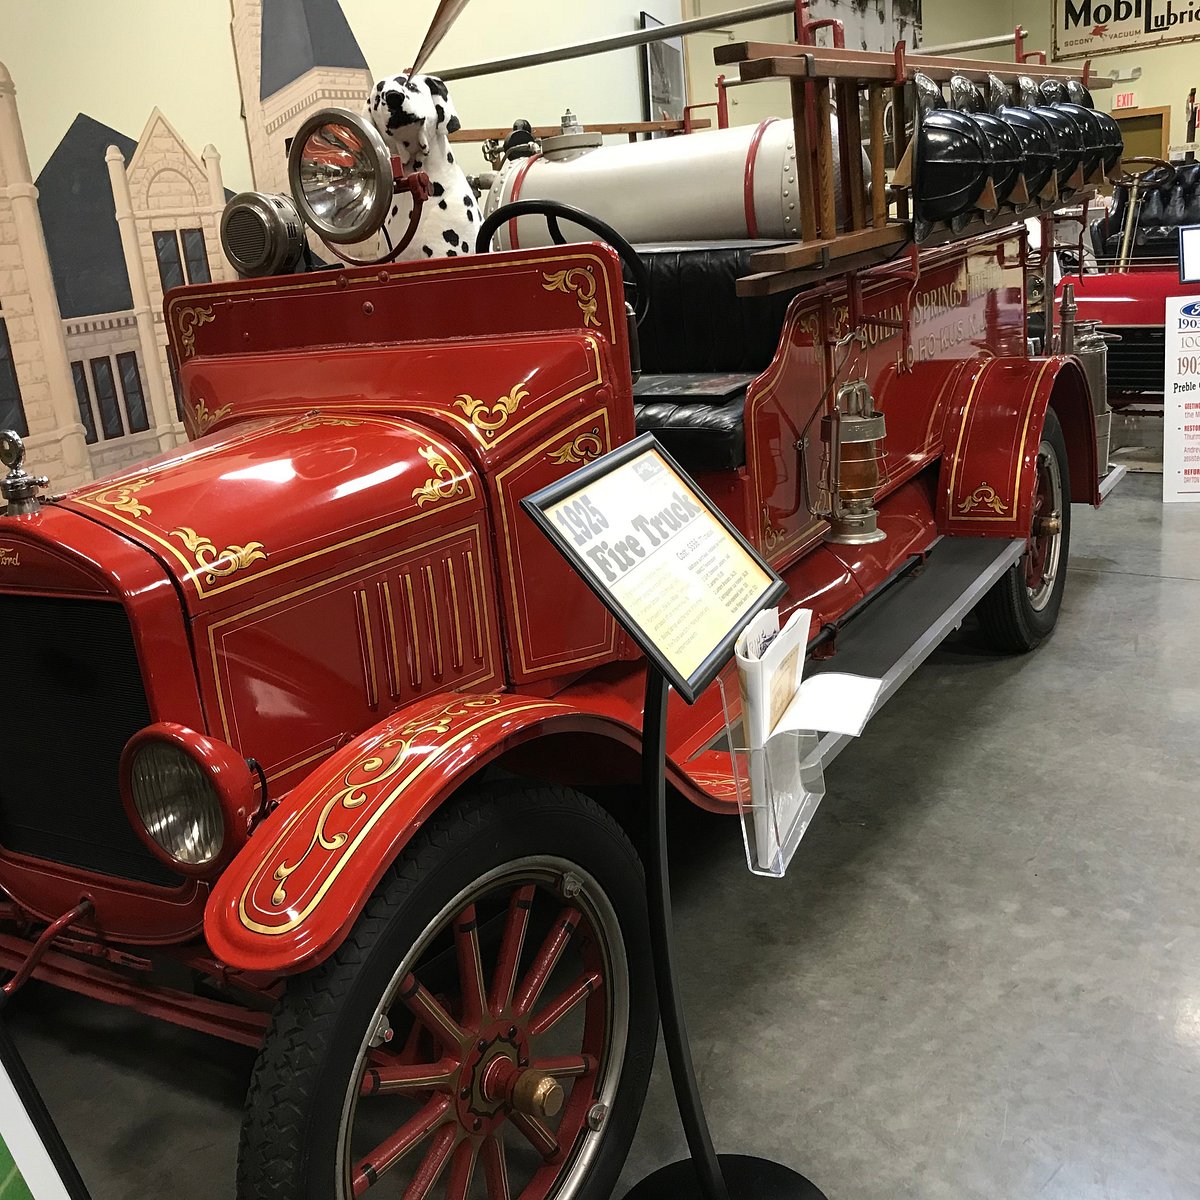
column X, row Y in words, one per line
column 341, row 176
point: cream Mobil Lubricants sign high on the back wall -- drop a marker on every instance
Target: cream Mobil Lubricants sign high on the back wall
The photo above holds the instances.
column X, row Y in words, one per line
column 1087, row 28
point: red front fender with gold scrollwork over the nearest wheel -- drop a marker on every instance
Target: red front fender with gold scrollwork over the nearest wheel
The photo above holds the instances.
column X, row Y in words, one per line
column 292, row 895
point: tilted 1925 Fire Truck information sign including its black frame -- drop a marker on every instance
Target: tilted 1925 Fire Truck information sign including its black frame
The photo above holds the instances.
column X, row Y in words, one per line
column 661, row 556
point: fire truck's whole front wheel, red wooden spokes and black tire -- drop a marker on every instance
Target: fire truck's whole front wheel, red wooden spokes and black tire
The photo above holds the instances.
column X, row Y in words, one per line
column 501, row 1051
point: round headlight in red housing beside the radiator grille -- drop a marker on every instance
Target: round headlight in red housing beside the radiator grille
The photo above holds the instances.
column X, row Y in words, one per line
column 191, row 800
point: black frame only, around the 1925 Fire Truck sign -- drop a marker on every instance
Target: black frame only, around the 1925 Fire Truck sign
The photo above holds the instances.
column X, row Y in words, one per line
column 711, row 668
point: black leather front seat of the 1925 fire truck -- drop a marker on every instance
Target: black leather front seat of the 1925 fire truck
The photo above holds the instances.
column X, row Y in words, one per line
column 703, row 346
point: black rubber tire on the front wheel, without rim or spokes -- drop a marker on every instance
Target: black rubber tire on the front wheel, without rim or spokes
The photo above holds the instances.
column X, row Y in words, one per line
column 293, row 1108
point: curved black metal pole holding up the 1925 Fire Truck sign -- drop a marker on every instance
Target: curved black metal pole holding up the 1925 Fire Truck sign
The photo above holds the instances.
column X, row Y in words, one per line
column 675, row 1030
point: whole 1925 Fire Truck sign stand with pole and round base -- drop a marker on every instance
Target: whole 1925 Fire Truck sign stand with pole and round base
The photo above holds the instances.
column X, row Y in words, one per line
column 683, row 583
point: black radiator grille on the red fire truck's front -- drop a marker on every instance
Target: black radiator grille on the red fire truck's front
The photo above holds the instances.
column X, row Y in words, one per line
column 82, row 699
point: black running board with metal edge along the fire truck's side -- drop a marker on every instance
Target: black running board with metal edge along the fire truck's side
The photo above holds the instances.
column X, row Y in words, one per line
column 897, row 633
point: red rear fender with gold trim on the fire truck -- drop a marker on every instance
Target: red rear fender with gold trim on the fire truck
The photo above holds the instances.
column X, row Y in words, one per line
column 992, row 437
